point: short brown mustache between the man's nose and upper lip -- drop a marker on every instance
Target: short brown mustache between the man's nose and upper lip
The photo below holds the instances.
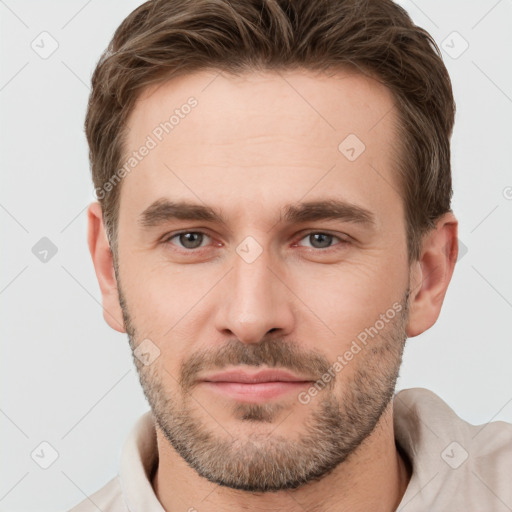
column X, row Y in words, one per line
column 272, row 353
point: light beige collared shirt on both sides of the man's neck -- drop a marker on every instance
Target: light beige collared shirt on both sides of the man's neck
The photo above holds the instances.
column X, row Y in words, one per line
column 456, row 466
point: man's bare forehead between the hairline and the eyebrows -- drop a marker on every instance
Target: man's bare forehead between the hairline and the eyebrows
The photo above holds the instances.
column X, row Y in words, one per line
column 223, row 138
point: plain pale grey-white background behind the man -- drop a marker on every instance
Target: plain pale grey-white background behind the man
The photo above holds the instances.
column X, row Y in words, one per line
column 68, row 379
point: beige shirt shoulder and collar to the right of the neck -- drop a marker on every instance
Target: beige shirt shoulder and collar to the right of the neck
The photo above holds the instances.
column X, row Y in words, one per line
column 456, row 465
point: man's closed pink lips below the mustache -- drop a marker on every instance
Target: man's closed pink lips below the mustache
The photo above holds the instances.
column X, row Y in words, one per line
column 255, row 387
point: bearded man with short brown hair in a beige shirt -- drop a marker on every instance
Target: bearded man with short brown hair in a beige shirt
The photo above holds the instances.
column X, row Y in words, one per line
column 273, row 222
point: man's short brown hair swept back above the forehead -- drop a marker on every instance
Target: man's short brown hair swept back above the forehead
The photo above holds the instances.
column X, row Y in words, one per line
column 163, row 39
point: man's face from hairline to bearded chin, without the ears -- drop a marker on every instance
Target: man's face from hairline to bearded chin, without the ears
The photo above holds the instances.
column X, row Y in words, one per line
column 273, row 284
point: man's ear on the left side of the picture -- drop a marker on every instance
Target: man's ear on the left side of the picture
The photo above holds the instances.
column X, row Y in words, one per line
column 104, row 267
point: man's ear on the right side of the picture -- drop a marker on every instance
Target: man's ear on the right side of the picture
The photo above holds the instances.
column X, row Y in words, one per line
column 431, row 275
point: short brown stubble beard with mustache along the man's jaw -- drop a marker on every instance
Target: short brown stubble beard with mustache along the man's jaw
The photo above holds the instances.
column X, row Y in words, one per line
column 268, row 462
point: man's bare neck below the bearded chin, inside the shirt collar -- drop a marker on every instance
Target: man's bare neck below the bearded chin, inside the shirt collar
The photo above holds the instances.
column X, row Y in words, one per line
column 374, row 477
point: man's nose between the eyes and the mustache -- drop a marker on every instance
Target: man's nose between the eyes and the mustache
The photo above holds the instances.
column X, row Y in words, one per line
column 254, row 301
